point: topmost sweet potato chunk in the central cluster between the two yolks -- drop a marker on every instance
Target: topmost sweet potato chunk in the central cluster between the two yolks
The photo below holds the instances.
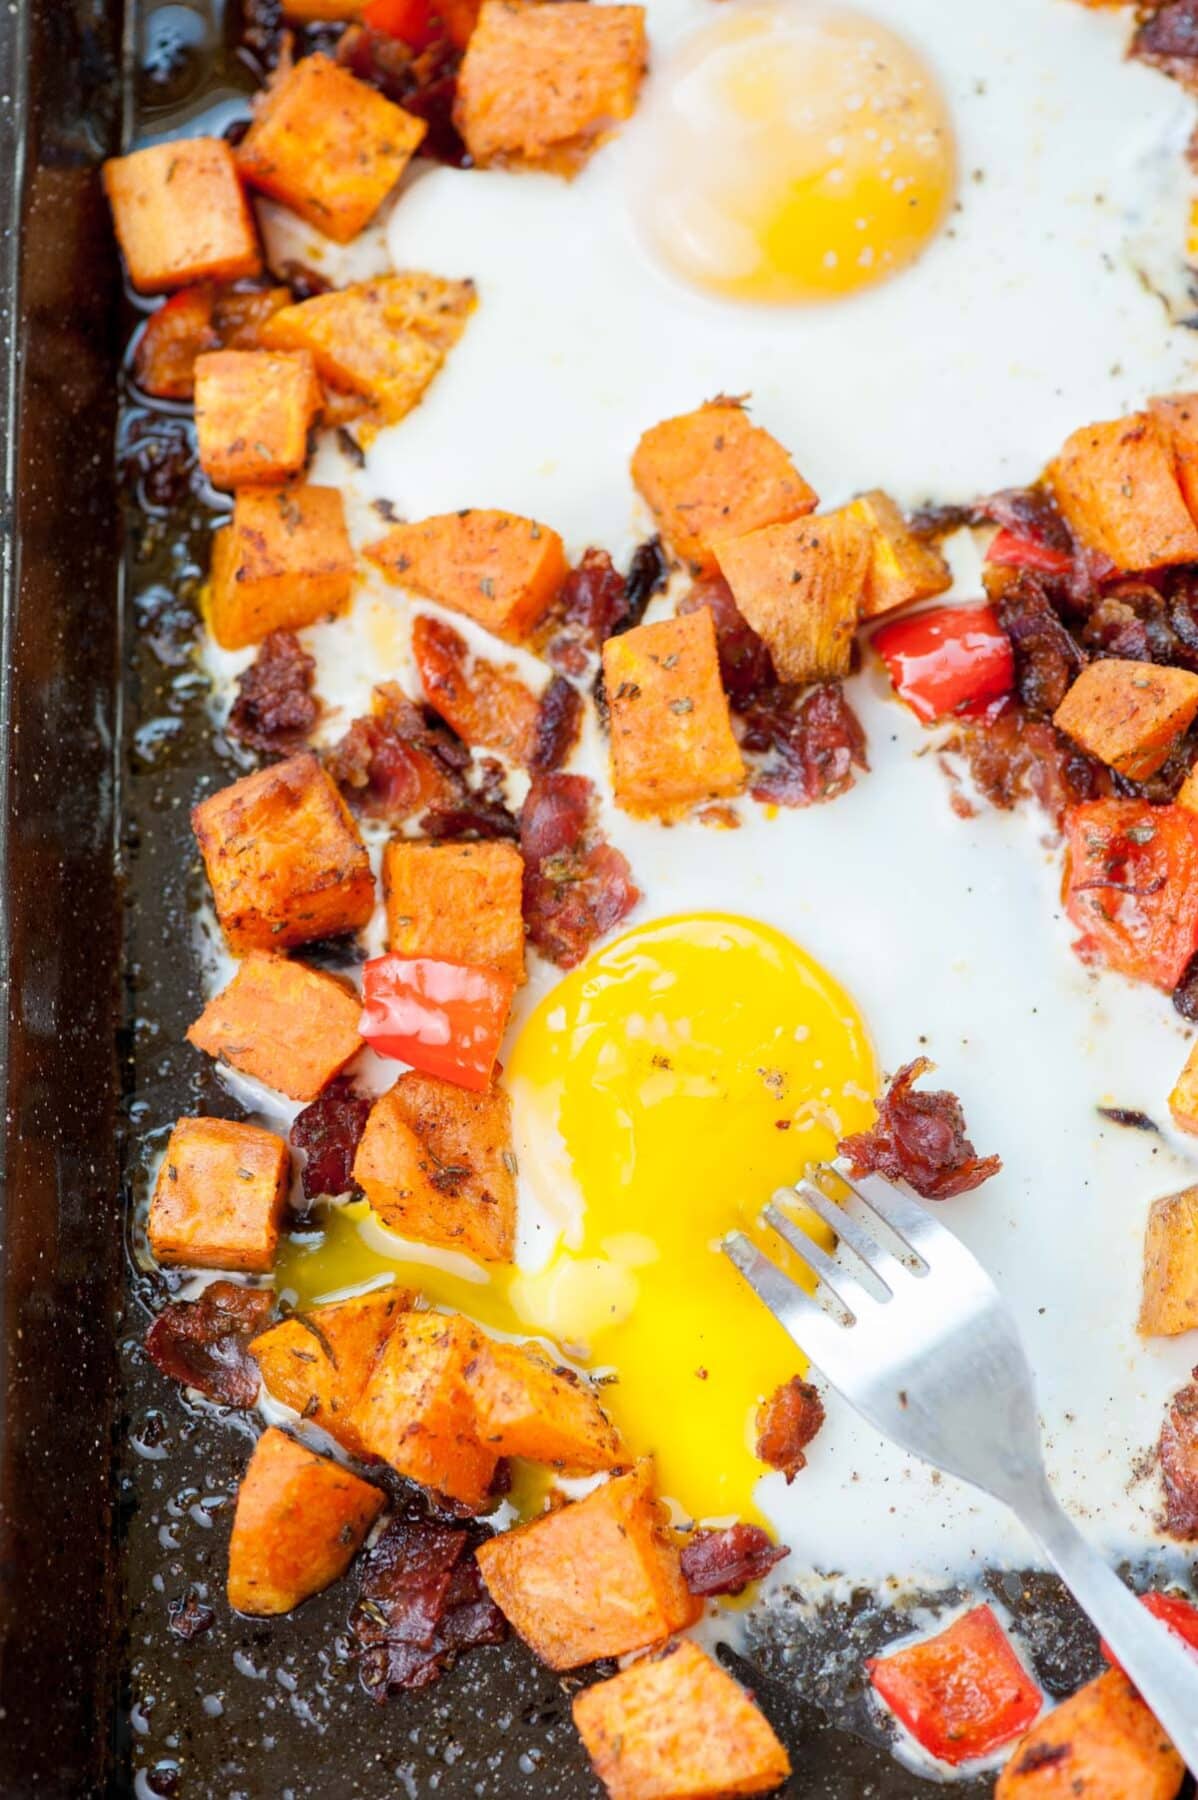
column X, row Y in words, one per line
column 713, row 474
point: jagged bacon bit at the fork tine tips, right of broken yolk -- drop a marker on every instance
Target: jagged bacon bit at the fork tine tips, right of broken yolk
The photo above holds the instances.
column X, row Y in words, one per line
column 922, row 1140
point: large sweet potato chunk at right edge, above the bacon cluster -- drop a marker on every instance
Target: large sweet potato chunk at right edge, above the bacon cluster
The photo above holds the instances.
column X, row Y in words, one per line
column 1118, row 489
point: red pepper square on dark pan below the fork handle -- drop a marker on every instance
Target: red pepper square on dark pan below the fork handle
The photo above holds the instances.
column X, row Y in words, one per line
column 963, row 1693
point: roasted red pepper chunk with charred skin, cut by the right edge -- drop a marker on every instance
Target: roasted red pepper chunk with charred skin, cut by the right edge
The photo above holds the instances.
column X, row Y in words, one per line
column 1131, row 886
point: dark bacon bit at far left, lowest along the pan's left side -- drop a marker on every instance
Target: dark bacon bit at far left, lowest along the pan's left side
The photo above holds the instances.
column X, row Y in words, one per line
column 204, row 1344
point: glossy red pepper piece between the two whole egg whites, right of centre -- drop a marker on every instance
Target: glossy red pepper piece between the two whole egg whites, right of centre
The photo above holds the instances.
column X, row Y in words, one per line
column 949, row 663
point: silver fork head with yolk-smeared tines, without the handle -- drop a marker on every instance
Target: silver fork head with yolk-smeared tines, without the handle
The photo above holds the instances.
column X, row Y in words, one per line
column 906, row 1324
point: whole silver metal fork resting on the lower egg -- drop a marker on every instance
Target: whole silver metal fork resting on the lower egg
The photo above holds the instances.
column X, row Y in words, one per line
column 922, row 1344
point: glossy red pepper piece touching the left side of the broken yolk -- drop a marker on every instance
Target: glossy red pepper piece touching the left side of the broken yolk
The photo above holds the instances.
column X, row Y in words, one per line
column 442, row 1018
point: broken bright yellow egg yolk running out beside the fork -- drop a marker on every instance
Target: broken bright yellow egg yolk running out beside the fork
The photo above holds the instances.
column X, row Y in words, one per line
column 661, row 1093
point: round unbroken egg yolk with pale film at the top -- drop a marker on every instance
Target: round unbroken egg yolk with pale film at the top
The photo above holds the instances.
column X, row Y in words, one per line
column 794, row 154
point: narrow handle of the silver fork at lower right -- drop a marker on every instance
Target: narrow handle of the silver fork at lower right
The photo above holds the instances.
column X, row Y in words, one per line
column 1156, row 1660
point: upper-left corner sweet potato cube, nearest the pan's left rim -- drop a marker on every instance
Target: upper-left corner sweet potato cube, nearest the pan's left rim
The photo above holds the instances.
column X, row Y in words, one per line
column 181, row 215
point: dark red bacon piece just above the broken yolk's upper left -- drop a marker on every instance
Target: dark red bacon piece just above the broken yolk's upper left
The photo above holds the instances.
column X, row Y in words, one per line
column 577, row 886
